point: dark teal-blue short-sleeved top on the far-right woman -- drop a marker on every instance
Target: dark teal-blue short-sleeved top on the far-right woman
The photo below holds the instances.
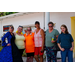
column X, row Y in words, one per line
column 65, row 40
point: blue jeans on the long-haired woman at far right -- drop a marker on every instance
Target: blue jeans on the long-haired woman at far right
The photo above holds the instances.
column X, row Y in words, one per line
column 66, row 53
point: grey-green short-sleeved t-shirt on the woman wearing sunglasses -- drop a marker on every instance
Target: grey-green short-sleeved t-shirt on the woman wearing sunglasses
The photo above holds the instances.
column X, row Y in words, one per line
column 49, row 36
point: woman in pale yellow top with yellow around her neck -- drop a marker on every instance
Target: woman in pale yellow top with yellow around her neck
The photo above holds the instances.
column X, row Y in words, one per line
column 20, row 40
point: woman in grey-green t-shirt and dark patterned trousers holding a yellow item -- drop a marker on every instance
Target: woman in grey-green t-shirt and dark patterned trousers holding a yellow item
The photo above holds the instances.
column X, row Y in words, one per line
column 51, row 38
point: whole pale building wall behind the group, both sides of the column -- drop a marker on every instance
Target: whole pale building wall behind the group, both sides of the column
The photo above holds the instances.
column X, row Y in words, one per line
column 57, row 17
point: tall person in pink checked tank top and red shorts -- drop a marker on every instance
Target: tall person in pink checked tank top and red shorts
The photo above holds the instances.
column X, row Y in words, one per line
column 39, row 39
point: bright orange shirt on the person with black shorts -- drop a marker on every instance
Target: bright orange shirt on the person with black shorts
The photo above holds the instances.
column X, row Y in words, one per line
column 29, row 39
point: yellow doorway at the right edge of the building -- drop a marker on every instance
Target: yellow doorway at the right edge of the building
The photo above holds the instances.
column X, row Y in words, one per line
column 73, row 32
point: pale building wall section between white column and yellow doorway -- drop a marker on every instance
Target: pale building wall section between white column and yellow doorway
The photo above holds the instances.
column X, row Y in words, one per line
column 62, row 18
